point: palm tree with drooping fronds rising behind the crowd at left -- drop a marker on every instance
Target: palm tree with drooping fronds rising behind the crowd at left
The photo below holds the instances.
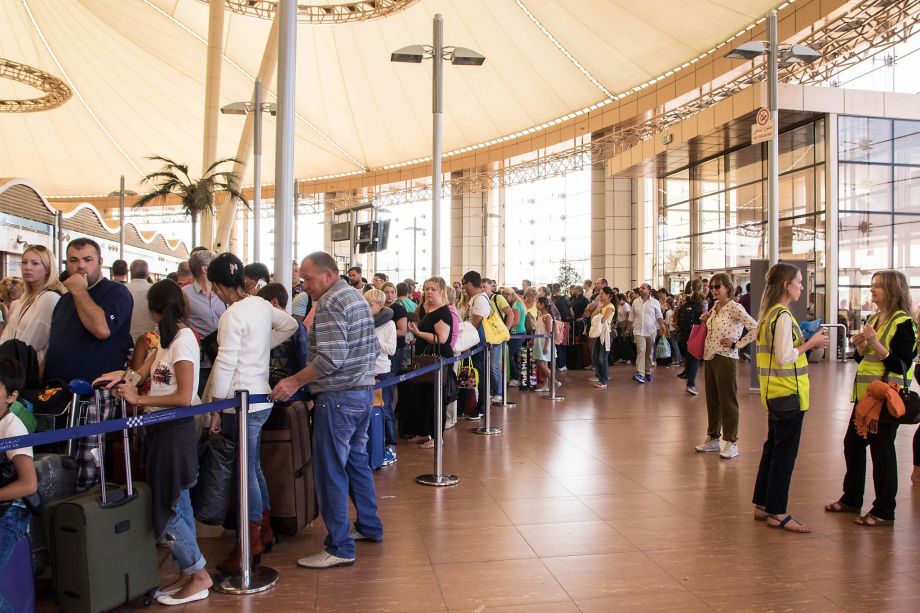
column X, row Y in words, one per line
column 196, row 195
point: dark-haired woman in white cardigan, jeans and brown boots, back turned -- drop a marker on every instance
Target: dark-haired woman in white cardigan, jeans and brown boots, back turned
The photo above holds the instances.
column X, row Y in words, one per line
column 246, row 333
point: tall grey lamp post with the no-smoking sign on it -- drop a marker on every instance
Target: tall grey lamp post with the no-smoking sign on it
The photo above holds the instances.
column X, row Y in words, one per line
column 776, row 54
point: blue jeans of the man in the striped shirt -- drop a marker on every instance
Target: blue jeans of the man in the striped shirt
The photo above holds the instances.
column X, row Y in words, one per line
column 340, row 421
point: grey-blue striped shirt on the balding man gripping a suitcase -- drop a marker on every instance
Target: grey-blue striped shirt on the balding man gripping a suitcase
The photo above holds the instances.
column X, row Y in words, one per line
column 343, row 345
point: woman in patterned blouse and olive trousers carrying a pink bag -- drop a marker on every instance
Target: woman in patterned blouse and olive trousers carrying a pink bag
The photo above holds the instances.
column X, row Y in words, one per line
column 725, row 323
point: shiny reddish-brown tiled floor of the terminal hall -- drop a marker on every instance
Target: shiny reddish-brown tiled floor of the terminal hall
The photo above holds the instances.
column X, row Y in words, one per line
column 599, row 503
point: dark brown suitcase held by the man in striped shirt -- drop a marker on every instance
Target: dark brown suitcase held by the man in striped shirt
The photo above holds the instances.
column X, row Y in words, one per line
column 287, row 461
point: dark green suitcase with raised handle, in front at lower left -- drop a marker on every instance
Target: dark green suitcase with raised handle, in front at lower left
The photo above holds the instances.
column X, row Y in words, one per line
column 102, row 544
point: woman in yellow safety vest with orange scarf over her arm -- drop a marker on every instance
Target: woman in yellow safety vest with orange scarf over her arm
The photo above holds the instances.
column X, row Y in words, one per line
column 887, row 344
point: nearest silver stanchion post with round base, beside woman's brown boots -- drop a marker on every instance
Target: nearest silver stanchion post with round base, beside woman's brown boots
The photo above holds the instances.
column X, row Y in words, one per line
column 250, row 580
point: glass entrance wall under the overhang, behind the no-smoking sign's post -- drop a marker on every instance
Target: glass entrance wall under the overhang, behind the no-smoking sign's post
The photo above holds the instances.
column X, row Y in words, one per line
column 712, row 215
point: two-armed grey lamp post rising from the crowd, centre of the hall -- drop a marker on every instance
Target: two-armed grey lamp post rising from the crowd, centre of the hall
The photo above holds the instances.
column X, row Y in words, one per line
column 458, row 56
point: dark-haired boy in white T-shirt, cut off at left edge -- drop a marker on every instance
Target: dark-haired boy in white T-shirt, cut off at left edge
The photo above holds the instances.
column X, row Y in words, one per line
column 16, row 481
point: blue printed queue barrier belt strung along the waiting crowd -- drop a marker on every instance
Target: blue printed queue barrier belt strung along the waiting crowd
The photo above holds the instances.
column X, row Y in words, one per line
column 167, row 415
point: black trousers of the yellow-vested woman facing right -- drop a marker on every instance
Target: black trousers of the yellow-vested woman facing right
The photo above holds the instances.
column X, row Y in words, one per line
column 771, row 488
